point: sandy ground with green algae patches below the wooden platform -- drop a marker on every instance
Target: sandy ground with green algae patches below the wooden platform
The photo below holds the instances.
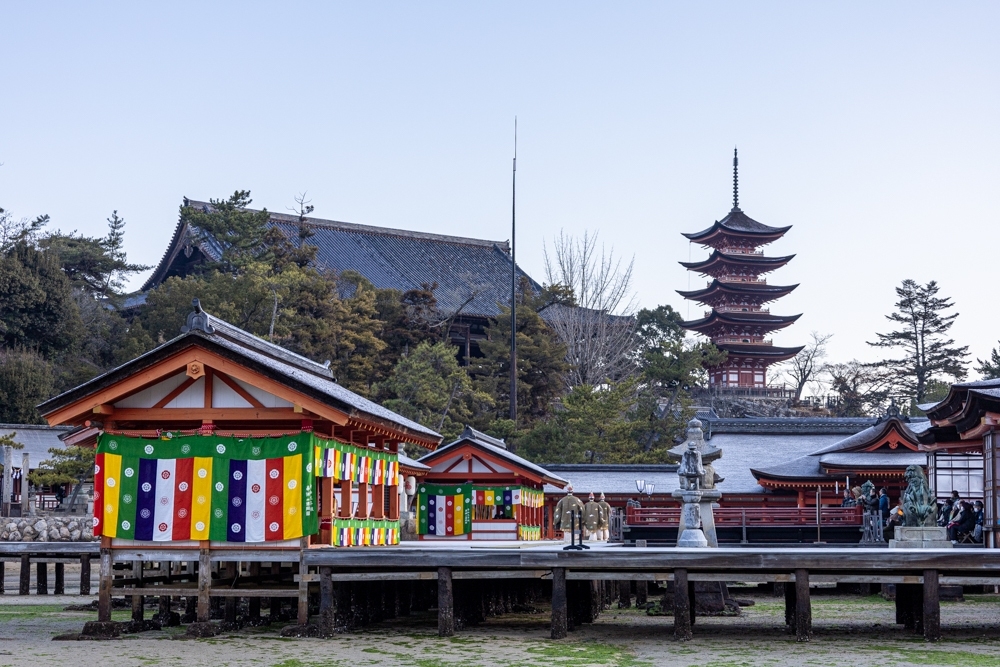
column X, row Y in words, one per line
column 849, row 630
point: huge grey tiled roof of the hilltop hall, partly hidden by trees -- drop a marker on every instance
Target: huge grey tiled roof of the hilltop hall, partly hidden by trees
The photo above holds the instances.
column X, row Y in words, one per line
column 471, row 274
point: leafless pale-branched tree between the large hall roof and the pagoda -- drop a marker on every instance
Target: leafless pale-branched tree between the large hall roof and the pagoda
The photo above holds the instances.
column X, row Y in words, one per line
column 598, row 330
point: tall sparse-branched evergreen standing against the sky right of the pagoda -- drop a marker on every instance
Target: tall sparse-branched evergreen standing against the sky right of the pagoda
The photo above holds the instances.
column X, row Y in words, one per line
column 928, row 354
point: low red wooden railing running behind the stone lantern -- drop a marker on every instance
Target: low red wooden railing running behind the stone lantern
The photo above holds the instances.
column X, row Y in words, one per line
column 753, row 516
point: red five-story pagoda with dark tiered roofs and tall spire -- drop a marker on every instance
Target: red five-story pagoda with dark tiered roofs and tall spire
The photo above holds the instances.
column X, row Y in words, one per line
column 737, row 293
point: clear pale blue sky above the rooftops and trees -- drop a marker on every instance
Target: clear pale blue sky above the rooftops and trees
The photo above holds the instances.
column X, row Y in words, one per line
column 872, row 128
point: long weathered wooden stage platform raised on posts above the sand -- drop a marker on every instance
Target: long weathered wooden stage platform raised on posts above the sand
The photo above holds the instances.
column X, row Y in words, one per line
column 917, row 573
